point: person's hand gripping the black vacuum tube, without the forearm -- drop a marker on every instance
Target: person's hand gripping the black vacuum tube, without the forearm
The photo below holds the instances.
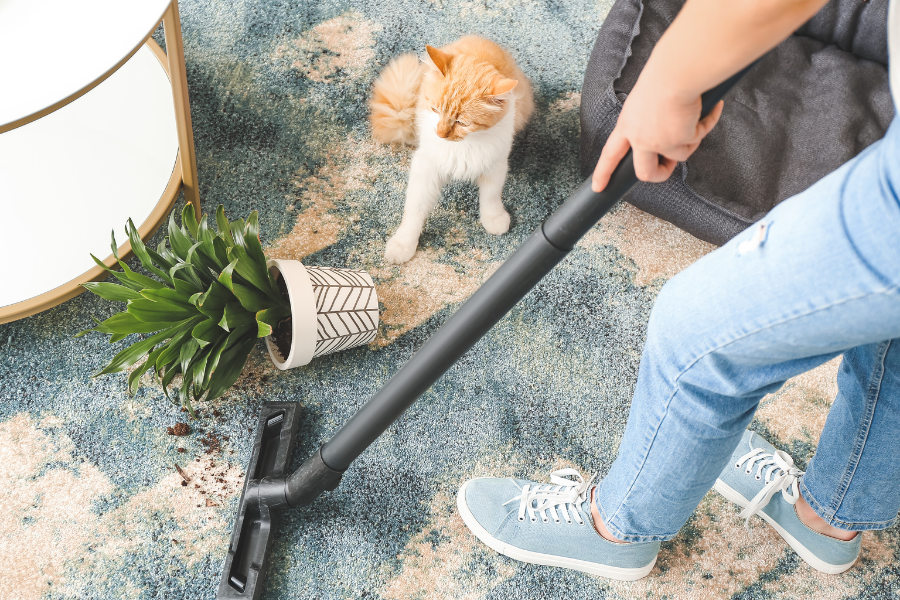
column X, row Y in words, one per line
column 661, row 126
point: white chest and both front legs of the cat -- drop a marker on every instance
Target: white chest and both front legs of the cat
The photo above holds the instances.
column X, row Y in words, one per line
column 481, row 156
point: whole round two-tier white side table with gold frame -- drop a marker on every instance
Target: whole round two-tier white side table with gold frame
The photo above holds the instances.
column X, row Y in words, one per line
column 90, row 135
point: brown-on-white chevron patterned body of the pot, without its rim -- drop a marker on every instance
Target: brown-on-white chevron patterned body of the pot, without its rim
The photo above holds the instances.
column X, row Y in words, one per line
column 346, row 308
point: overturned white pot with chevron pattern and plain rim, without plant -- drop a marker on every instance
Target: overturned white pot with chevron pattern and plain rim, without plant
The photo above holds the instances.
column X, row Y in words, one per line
column 331, row 309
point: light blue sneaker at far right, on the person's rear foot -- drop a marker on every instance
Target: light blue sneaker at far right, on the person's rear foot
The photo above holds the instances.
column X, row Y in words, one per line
column 756, row 473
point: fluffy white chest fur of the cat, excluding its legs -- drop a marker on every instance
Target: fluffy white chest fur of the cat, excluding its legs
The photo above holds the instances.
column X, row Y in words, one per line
column 471, row 156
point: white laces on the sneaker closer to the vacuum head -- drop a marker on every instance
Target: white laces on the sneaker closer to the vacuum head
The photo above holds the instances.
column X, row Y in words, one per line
column 562, row 497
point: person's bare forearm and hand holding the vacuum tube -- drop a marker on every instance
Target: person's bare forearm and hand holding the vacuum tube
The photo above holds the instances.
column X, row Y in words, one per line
column 709, row 41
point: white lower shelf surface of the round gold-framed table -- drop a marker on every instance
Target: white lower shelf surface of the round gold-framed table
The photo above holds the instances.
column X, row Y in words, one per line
column 71, row 177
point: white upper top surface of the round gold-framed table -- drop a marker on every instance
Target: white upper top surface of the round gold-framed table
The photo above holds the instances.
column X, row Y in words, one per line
column 51, row 49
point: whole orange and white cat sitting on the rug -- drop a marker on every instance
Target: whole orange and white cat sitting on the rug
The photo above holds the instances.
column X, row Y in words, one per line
column 462, row 107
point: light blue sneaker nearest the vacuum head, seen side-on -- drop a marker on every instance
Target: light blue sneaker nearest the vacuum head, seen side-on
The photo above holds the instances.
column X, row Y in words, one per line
column 549, row 524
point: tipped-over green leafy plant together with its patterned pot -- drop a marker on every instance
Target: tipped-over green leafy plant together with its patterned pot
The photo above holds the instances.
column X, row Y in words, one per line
column 214, row 295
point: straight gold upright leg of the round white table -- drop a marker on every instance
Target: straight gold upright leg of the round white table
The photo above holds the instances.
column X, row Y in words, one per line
column 178, row 77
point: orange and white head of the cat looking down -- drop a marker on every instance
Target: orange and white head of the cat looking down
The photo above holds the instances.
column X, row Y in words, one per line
column 464, row 94
